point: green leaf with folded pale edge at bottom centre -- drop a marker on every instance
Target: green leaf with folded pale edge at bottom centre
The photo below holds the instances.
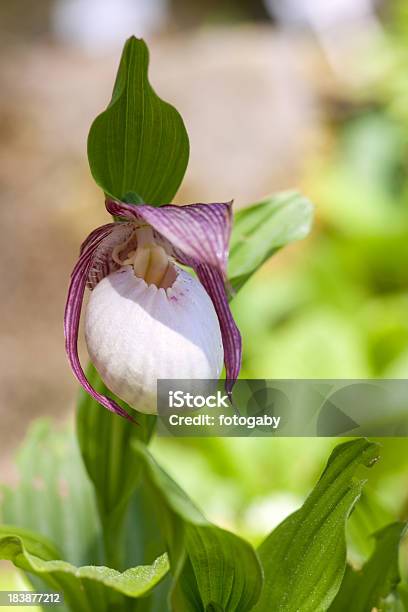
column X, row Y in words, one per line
column 213, row 568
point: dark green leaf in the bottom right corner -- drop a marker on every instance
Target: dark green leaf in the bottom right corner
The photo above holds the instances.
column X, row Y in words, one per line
column 368, row 588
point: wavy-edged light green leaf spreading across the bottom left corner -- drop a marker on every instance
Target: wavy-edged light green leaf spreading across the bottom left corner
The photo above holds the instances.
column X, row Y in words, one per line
column 87, row 588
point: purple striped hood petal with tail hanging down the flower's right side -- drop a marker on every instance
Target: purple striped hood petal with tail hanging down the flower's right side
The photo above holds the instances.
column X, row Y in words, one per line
column 199, row 236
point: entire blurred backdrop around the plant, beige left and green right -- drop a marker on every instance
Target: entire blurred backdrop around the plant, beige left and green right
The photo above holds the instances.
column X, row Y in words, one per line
column 275, row 96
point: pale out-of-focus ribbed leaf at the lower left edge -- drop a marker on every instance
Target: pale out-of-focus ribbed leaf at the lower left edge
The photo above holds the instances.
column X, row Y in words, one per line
column 54, row 496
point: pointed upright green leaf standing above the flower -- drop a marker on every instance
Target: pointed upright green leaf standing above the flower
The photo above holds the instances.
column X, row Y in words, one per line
column 139, row 143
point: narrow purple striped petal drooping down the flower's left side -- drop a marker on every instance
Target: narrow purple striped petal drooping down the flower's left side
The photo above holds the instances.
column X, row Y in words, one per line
column 94, row 244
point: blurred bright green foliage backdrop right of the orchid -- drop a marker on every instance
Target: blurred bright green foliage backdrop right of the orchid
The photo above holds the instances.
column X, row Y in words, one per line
column 335, row 306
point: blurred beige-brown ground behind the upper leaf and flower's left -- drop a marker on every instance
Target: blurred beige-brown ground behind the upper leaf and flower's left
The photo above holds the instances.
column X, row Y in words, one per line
column 251, row 111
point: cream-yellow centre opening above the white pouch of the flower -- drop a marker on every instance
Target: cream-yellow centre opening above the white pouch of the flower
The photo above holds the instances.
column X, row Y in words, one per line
column 149, row 260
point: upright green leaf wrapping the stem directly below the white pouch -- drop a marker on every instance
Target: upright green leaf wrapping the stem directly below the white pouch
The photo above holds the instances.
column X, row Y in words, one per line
column 105, row 442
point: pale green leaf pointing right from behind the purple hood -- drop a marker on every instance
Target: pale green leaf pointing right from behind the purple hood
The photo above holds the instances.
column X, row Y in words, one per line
column 263, row 228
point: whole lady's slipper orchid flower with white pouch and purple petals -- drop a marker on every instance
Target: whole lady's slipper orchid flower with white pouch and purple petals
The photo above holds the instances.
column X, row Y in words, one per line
column 147, row 318
